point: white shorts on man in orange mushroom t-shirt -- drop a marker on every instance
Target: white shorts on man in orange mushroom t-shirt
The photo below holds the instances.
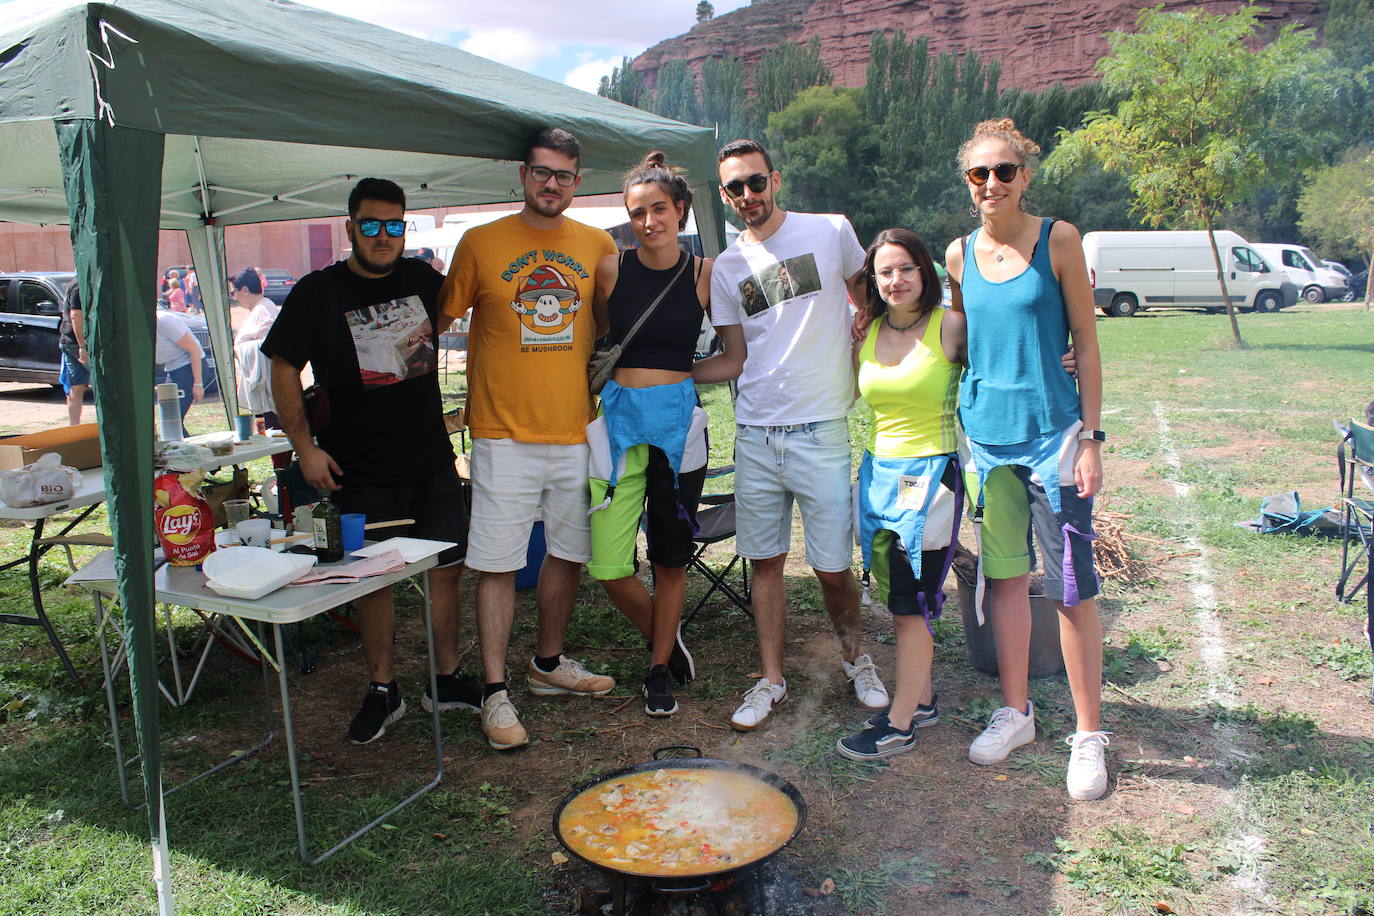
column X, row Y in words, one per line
column 515, row 485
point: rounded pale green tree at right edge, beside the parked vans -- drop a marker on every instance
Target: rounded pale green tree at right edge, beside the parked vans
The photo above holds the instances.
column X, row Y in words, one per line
column 1338, row 207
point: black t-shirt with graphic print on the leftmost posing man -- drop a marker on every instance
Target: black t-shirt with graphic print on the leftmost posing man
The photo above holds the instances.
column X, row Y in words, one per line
column 374, row 347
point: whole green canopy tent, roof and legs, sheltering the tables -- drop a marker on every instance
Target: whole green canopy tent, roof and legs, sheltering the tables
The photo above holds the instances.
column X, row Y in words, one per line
column 120, row 119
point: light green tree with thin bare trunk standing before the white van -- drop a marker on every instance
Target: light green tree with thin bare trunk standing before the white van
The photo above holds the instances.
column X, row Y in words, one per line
column 1204, row 122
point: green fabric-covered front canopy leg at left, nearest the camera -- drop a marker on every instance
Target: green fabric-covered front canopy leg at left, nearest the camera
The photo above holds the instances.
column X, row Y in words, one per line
column 113, row 179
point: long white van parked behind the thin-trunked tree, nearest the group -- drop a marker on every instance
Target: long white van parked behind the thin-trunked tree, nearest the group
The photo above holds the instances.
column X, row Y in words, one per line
column 1133, row 271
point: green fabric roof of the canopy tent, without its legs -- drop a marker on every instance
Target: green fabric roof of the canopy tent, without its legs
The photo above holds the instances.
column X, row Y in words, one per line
column 278, row 108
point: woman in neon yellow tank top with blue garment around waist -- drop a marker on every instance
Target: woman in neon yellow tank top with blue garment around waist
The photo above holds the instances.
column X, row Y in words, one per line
column 910, row 484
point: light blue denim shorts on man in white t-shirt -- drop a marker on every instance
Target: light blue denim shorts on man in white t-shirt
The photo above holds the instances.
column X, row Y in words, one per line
column 809, row 465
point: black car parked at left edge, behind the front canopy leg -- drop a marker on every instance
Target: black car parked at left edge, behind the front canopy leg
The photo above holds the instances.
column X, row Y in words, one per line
column 31, row 311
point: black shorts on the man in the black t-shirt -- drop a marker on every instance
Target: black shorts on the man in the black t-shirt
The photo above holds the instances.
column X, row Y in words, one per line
column 436, row 503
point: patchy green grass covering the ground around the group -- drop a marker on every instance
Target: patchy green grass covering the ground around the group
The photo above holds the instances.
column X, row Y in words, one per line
column 1244, row 424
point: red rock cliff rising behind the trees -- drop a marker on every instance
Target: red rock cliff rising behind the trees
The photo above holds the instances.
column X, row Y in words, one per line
column 1037, row 42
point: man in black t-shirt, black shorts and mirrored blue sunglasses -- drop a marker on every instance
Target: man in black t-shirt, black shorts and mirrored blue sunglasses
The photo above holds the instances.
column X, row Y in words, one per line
column 368, row 328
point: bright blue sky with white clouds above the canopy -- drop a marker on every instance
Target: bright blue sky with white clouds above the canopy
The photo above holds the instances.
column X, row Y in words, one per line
column 574, row 42
